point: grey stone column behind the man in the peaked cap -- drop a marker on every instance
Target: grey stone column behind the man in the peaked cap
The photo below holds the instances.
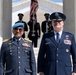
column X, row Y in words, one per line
column 69, row 9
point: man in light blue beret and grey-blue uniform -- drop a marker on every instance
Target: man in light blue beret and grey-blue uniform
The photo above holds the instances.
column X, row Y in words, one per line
column 17, row 56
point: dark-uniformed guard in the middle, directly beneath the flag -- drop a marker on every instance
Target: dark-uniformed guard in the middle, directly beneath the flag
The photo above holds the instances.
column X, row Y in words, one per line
column 34, row 30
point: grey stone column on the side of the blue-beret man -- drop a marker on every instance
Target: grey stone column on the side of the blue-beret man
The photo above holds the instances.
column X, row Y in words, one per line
column 5, row 18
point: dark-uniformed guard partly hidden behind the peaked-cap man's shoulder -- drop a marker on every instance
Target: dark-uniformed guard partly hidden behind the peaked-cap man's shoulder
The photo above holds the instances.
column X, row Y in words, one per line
column 45, row 25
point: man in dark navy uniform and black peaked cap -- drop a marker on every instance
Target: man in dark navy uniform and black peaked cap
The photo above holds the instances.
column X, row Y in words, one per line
column 56, row 48
